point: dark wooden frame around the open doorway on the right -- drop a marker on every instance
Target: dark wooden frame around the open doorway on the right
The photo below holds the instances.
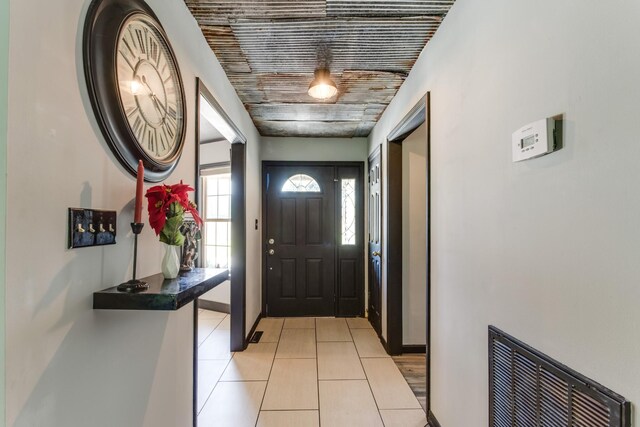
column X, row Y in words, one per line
column 419, row 114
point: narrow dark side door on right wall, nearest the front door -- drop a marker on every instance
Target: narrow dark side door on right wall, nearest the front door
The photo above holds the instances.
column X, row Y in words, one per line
column 375, row 246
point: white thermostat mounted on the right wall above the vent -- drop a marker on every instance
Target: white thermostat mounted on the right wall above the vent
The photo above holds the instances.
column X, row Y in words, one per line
column 535, row 139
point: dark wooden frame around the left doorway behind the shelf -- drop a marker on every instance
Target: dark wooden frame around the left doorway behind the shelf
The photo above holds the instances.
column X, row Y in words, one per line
column 238, row 341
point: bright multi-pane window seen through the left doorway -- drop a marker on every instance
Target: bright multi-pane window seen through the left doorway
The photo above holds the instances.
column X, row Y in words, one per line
column 217, row 218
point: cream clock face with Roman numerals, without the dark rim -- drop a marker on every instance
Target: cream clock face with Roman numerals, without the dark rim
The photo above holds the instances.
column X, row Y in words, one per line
column 149, row 88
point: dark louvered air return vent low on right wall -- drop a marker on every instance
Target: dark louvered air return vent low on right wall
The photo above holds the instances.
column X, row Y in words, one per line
column 529, row 389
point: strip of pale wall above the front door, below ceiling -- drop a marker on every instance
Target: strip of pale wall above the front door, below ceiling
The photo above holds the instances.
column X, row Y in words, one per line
column 317, row 149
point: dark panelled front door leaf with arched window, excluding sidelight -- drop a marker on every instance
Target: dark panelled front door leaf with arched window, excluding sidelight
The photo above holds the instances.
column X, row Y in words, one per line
column 300, row 234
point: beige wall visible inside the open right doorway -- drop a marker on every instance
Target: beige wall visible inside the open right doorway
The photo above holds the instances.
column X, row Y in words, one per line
column 414, row 237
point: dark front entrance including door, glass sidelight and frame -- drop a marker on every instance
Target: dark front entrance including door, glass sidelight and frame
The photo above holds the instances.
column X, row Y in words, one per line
column 313, row 239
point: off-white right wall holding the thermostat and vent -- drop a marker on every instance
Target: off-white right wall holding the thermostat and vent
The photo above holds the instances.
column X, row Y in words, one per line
column 547, row 249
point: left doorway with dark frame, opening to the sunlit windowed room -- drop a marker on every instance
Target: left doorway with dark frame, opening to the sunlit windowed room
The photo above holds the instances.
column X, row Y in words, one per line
column 220, row 196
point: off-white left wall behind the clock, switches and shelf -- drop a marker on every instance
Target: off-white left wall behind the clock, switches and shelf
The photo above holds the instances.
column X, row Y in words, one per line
column 67, row 363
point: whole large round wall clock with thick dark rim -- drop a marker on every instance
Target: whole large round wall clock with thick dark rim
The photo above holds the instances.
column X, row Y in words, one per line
column 134, row 85
